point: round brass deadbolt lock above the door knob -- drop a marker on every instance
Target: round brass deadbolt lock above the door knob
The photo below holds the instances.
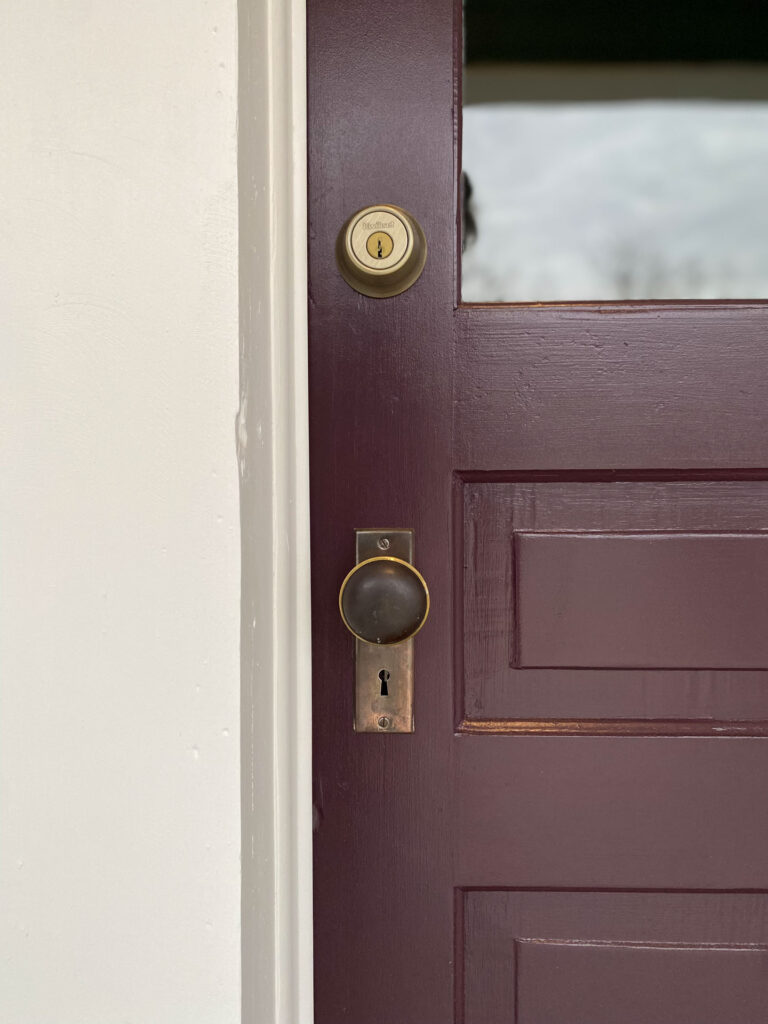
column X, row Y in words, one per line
column 381, row 251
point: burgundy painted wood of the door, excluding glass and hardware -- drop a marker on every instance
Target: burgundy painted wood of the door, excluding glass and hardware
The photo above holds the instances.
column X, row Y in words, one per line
column 578, row 831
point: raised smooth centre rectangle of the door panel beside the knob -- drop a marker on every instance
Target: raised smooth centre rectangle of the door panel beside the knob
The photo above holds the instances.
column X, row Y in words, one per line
column 642, row 601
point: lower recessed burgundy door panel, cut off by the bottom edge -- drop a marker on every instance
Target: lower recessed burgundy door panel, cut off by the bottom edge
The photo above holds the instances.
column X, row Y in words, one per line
column 617, row 957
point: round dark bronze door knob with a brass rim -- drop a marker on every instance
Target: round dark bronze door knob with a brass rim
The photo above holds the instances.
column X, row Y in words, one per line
column 385, row 601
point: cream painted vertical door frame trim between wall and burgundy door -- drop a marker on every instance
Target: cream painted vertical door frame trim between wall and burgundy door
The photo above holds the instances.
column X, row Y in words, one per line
column 274, row 459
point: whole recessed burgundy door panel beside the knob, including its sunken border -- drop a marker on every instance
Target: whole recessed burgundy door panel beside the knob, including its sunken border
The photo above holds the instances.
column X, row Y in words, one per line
column 658, row 580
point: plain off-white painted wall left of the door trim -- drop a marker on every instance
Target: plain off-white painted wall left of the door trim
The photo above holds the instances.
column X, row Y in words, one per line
column 119, row 534
